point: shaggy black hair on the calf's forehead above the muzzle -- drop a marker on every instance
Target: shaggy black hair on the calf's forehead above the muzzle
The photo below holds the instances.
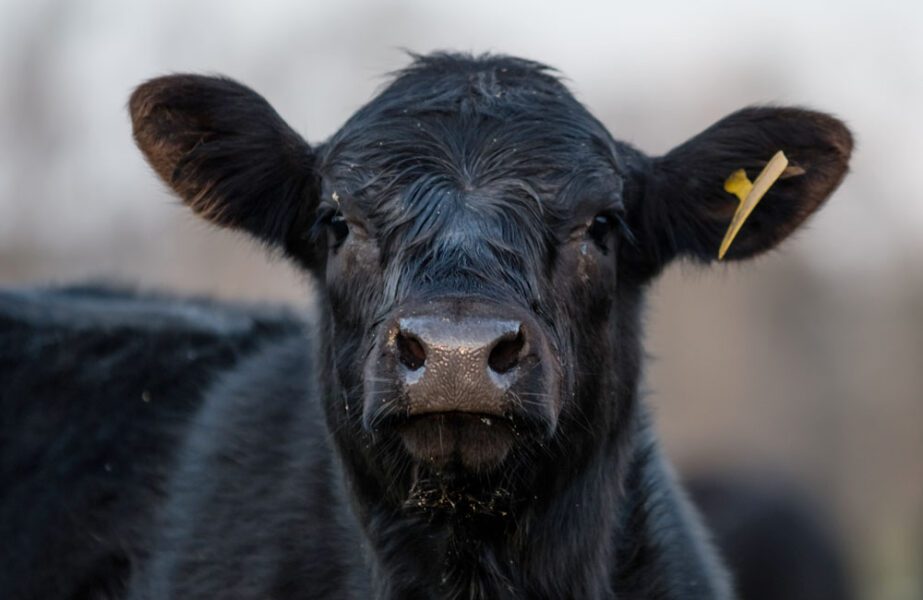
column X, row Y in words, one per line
column 483, row 170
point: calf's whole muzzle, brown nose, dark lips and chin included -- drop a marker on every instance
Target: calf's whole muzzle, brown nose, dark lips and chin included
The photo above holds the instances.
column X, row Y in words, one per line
column 460, row 382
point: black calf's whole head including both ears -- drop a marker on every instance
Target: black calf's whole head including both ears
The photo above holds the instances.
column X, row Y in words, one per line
column 474, row 227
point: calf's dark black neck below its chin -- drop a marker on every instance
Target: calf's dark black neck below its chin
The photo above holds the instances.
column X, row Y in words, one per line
column 522, row 555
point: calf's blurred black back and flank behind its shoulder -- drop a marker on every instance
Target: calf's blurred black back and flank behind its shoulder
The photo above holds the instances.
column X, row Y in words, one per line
column 98, row 386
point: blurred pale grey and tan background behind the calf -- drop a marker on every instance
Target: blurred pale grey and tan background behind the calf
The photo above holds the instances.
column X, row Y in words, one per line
column 804, row 366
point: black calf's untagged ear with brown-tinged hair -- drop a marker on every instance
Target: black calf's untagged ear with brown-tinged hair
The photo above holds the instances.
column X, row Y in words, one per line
column 230, row 157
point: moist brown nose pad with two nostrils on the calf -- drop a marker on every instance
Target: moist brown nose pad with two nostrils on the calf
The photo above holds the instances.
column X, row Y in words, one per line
column 463, row 365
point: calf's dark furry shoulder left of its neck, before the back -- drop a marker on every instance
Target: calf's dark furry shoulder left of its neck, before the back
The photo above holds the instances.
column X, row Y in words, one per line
column 256, row 504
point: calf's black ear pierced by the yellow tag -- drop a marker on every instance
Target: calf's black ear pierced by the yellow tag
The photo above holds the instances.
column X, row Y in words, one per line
column 681, row 207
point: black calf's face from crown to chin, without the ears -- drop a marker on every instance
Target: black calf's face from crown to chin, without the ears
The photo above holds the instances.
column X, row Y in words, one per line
column 471, row 223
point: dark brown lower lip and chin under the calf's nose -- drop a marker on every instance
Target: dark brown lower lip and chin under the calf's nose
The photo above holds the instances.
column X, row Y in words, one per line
column 472, row 442
